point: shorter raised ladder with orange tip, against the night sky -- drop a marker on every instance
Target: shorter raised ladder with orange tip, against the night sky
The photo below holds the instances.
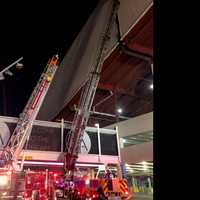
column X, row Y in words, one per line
column 23, row 129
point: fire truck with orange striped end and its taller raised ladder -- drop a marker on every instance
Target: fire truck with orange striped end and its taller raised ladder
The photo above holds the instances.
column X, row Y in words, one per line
column 86, row 190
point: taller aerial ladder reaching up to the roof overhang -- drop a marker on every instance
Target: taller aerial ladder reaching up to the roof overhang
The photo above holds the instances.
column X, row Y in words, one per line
column 87, row 97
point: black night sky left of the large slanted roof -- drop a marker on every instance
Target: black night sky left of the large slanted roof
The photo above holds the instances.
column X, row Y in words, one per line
column 36, row 32
